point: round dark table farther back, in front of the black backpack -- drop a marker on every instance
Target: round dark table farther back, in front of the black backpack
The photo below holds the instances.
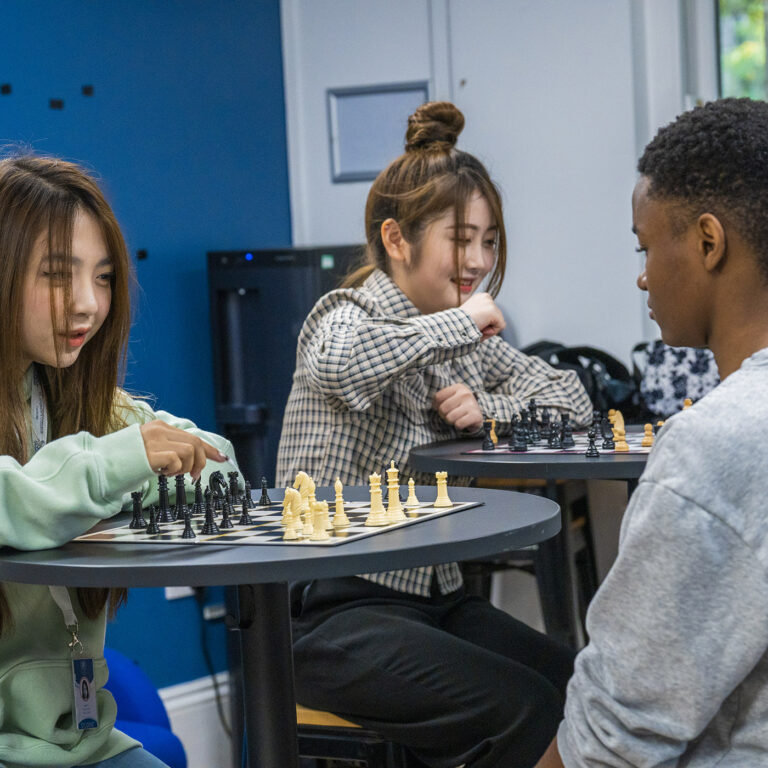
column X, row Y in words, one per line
column 555, row 581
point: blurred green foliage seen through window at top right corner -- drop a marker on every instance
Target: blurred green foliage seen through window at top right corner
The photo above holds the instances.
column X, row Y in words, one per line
column 742, row 47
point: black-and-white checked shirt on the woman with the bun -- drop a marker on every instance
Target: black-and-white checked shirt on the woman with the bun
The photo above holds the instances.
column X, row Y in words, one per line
column 368, row 365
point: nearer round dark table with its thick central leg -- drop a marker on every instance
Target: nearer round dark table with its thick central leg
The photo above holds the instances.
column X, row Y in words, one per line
column 505, row 521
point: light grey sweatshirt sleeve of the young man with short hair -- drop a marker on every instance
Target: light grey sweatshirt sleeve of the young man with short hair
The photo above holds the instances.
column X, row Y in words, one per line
column 677, row 625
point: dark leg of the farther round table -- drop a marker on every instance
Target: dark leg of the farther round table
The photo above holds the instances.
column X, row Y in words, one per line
column 553, row 576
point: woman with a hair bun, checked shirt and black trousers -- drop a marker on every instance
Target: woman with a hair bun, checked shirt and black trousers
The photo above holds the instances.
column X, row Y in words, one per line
column 407, row 353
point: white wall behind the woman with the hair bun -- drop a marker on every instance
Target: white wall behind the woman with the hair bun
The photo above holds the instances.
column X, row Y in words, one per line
column 559, row 98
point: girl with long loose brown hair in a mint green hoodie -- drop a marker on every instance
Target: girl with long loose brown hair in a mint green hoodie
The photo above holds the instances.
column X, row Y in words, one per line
column 72, row 446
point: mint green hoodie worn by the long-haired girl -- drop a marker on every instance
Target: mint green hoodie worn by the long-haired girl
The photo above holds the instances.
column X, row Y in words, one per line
column 64, row 489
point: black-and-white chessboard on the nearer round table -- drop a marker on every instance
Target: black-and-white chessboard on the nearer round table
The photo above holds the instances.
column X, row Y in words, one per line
column 266, row 528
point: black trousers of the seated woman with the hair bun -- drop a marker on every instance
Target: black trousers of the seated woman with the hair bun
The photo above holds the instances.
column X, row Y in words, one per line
column 452, row 678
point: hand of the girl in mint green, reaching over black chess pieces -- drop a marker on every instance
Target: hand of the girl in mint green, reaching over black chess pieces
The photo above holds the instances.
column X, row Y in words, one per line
column 173, row 451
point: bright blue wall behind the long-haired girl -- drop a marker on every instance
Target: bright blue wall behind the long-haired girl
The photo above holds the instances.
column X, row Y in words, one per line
column 186, row 130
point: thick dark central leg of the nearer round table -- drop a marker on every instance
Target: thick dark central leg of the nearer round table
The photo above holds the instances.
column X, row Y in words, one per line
column 269, row 701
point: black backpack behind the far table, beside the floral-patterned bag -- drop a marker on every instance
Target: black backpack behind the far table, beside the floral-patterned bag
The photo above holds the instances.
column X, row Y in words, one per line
column 607, row 380
